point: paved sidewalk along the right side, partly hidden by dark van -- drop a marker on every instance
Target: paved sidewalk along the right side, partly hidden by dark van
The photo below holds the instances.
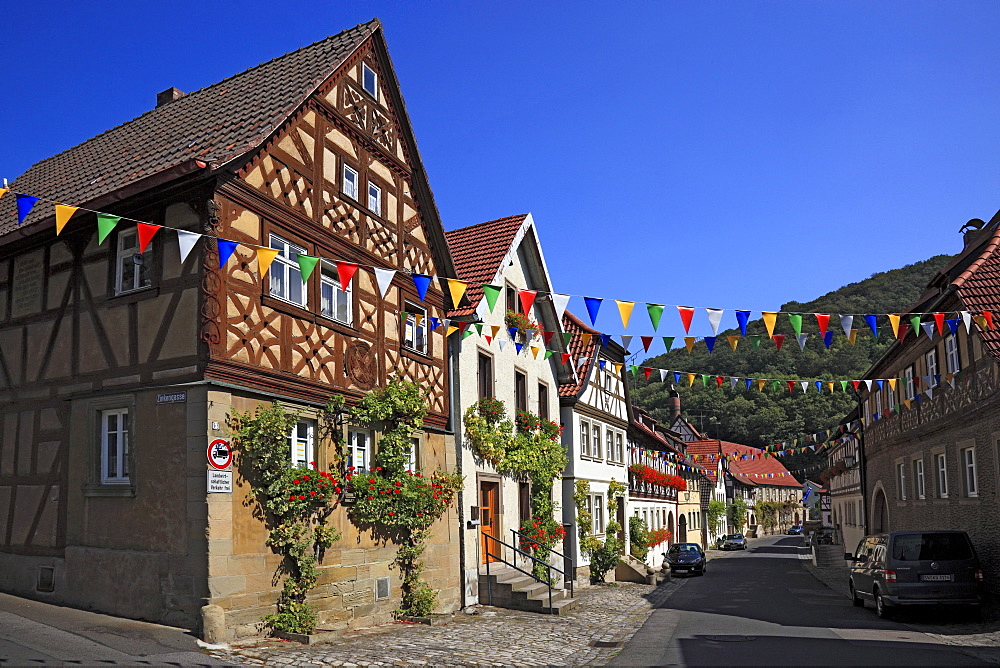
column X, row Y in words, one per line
column 978, row 639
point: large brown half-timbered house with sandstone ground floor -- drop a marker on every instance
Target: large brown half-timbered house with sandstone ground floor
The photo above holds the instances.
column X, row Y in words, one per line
column 119, row 364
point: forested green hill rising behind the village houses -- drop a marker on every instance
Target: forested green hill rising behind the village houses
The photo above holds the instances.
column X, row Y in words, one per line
column 763, row 418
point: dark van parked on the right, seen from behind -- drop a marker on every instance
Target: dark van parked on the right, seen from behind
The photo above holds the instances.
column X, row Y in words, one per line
column 905, row 568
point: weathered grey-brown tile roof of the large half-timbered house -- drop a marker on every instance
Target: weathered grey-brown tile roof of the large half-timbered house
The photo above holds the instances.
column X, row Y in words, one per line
column 213, row 125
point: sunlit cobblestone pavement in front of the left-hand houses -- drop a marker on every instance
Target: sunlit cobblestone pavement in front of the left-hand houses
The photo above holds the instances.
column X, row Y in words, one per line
column 495, row 636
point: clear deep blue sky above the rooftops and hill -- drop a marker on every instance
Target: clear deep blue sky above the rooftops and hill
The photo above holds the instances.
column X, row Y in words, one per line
column 719, row 154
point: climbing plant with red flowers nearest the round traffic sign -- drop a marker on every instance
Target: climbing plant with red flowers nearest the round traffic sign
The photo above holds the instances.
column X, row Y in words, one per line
column 294, row 504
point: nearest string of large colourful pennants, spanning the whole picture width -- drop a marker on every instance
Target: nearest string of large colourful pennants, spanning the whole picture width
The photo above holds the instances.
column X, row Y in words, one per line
column 456, row 288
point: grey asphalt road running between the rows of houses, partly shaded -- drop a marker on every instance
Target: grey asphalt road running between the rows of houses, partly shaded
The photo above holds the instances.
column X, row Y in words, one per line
column 761, row 607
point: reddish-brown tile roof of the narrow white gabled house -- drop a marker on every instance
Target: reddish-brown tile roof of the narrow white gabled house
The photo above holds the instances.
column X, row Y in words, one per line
column 477, row 251
